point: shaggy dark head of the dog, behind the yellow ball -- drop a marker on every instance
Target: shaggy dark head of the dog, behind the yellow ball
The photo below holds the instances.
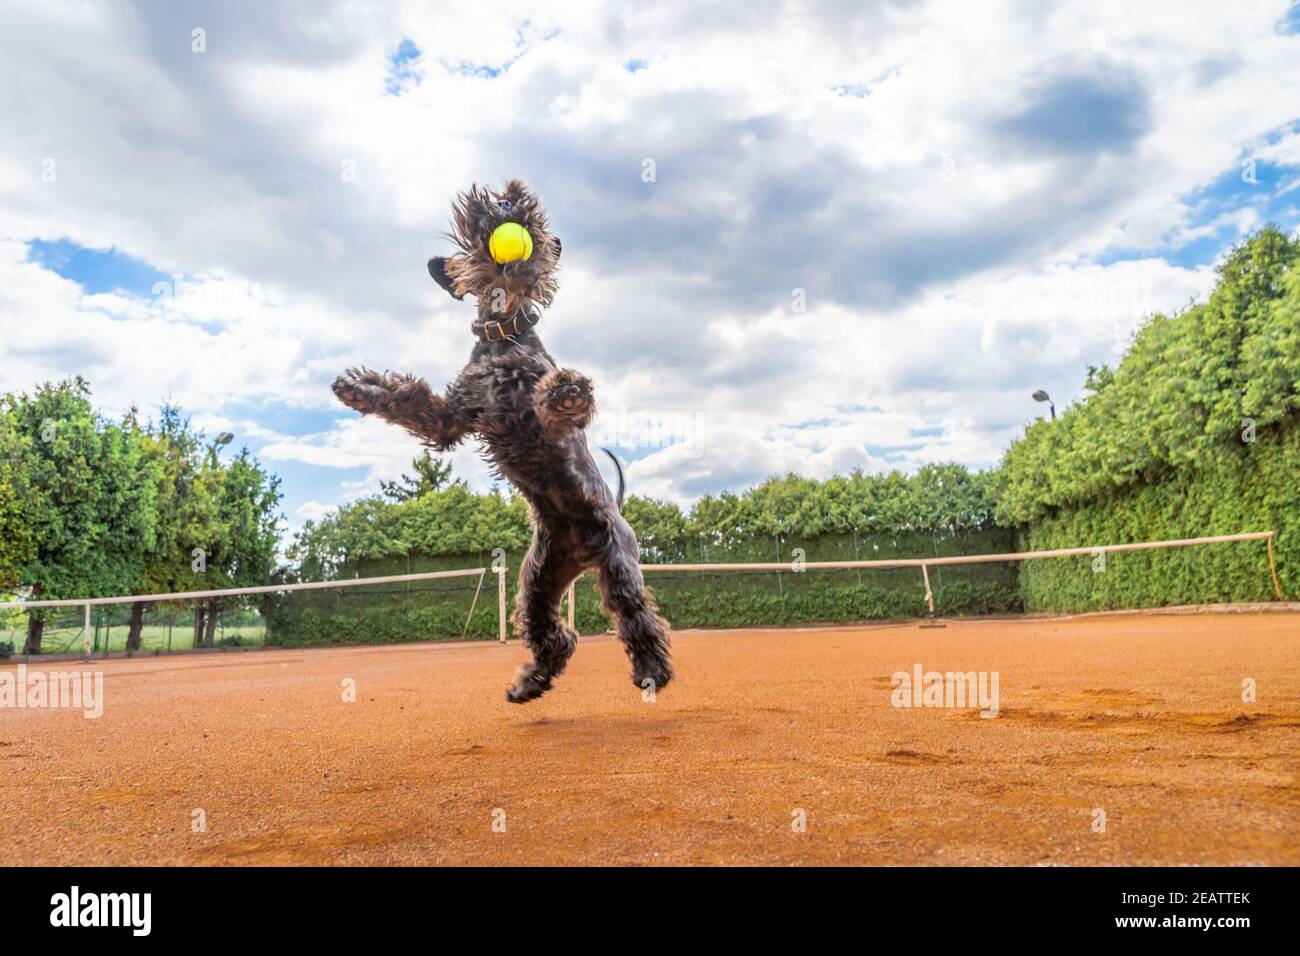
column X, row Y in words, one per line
column 501, row 291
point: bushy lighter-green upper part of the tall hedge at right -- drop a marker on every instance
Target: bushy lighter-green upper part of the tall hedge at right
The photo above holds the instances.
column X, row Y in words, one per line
column 1181, row 399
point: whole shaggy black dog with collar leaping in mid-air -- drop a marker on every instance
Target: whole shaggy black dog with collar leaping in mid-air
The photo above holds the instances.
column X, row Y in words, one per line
column 531, row 416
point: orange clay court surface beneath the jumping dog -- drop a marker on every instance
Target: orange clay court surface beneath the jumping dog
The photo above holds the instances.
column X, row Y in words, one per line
column 1138, row 716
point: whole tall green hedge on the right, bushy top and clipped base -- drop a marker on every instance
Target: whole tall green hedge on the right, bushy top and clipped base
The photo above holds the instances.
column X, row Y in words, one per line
column 1195, row 434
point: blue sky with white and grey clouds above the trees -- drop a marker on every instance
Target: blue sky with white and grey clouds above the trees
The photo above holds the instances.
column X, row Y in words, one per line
column 798, row 237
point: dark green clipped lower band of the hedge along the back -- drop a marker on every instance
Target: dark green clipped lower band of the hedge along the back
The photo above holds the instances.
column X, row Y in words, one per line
column 437, row 611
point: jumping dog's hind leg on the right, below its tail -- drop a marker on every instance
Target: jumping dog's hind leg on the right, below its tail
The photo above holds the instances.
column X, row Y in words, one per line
column 643, row 631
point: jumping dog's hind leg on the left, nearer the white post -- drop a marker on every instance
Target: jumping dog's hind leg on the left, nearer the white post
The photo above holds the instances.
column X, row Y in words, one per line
column 543, row 581
